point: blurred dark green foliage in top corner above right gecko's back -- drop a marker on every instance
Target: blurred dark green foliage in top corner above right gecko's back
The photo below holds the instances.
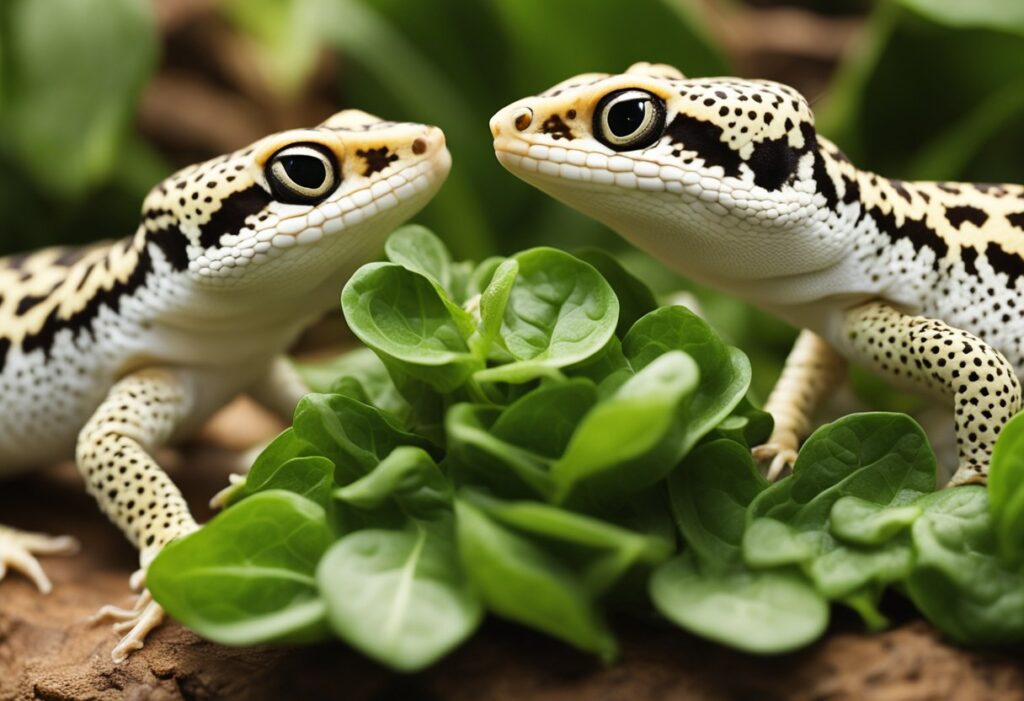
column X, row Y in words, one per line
column 971, row 87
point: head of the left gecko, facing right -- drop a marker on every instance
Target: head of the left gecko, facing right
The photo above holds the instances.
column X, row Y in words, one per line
column 297, row 208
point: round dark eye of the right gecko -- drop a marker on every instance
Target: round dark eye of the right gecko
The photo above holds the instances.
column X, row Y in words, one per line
column 626, row 120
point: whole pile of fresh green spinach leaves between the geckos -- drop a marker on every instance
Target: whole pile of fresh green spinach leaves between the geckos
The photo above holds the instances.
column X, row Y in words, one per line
column 534, row 437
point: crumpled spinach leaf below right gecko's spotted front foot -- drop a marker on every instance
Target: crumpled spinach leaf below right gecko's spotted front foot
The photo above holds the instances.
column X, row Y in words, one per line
column 959, row 580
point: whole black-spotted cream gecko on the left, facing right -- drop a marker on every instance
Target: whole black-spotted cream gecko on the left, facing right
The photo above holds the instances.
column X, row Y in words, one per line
column 111, row 352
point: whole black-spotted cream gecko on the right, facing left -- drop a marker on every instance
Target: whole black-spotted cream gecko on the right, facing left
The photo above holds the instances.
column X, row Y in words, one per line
column 731, row 185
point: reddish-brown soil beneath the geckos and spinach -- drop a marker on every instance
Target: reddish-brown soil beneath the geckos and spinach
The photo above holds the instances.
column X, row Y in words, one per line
column 50, row 651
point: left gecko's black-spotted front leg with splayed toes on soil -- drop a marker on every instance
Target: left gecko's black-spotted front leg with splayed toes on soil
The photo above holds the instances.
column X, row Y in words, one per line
column 141, row 413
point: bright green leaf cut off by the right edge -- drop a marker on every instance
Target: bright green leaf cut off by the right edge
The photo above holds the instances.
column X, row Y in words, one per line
column 1006, row 489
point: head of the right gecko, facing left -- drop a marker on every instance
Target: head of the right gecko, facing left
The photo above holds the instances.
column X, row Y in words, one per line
column 709, row 176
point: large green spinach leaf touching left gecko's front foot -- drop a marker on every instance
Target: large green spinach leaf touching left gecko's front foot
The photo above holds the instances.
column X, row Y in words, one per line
column 248, row 577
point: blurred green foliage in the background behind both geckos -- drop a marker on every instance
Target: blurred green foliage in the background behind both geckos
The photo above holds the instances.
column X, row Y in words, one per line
column 934, row 91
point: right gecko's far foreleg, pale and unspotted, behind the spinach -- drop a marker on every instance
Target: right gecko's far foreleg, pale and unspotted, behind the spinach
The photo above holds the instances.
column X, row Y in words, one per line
column 813, row 370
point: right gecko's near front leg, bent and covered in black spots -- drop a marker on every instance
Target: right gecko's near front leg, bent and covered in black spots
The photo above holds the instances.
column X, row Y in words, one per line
column 940, row 360
